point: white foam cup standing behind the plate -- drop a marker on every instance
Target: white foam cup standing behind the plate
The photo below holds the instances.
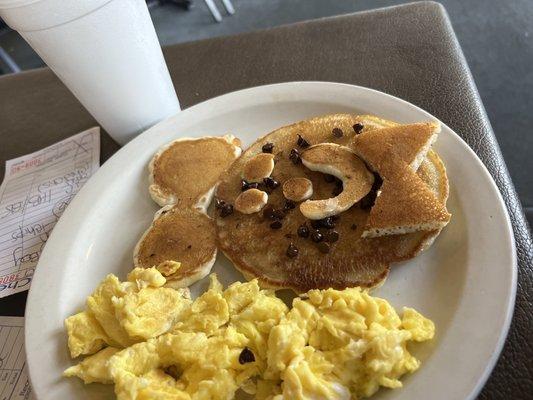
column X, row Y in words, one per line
column 106, row 52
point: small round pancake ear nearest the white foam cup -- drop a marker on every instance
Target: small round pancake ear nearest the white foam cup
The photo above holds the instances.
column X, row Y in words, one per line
column 186, row 171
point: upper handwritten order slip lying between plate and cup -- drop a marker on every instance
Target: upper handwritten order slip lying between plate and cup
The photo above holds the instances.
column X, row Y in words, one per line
column 36, row 190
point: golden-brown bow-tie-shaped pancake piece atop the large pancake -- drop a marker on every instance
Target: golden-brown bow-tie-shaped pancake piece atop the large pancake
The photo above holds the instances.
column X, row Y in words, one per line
column 406, row 203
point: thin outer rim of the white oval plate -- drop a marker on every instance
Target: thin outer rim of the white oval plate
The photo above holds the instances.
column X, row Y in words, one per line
column 510, row 299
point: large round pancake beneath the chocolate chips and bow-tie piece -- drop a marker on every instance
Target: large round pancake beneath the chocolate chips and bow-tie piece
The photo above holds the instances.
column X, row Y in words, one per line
column 259, row 251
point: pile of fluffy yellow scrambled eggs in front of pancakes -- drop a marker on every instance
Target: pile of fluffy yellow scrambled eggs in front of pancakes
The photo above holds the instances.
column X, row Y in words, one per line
column 155, row 342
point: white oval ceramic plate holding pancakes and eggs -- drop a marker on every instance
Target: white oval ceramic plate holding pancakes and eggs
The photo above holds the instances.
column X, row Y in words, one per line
column 465, row 283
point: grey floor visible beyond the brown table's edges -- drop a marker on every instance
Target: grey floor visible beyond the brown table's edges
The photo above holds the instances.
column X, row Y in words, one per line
column 496, row 37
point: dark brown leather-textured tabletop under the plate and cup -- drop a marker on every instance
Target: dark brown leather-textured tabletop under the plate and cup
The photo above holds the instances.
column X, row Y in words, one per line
column 408, row 51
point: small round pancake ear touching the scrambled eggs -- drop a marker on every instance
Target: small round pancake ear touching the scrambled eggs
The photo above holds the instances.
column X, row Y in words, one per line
column 184, row 235
